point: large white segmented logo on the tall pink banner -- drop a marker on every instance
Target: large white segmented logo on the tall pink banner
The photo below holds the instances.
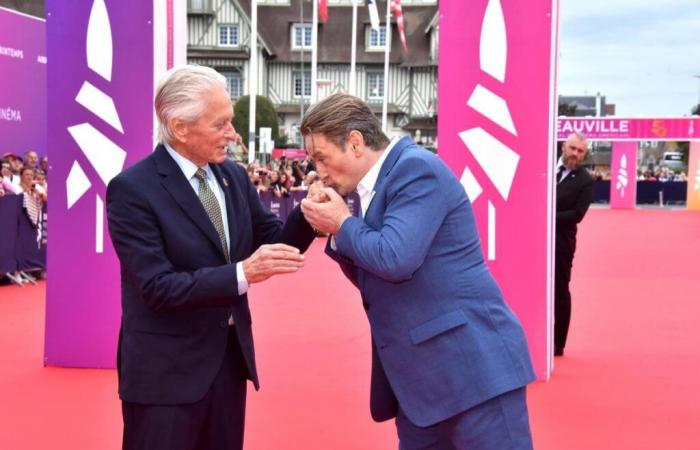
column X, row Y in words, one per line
column 496, row 159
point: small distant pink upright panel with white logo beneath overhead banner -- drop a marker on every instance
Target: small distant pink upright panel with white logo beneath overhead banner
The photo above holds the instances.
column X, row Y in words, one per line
column 623, row 176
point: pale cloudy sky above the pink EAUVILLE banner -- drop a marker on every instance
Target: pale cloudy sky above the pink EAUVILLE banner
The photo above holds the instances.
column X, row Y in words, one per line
column 640, row 54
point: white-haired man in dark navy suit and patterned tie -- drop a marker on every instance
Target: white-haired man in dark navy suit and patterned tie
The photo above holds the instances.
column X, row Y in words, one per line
column 191, row 236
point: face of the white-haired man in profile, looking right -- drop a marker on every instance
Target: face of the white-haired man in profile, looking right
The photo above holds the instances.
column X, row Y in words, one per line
column 206, row 140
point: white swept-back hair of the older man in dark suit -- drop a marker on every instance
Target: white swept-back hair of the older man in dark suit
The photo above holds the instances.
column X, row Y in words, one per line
column 179, row 95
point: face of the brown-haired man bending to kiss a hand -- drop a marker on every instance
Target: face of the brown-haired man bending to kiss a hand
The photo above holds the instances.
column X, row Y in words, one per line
column 338, row 167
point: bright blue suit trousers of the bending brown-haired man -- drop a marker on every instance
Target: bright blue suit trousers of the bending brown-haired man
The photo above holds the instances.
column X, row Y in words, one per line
column 500, row 423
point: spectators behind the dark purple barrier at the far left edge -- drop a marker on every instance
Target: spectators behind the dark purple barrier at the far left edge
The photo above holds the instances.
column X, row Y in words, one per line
column 26, row 176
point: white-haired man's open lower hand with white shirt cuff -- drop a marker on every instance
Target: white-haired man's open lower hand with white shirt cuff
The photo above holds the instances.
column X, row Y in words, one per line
column 272, row 259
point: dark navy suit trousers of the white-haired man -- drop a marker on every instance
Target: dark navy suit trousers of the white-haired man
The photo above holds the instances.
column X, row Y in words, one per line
column 216, row 422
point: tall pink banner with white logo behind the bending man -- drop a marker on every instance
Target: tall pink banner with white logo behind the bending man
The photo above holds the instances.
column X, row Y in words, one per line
column 496, row 131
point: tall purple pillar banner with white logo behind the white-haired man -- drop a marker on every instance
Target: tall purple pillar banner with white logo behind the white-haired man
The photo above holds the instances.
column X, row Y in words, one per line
column 106, row 57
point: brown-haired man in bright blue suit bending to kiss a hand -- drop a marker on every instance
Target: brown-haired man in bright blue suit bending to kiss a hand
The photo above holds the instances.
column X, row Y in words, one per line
column 450, row 359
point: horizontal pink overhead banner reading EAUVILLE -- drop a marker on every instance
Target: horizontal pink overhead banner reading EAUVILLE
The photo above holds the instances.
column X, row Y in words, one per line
column 605, row 128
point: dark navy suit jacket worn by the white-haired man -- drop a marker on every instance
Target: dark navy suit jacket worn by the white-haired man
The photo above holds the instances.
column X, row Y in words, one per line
column 177, row 289
